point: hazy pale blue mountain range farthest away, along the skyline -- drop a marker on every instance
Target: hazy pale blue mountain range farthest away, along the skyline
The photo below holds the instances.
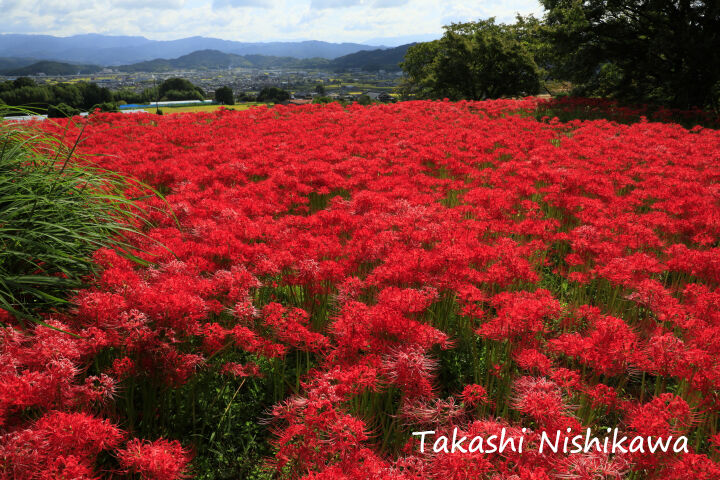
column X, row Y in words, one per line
column 108, row 50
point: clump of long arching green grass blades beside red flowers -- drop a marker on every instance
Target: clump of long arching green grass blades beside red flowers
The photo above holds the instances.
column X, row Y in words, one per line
column 54, row 213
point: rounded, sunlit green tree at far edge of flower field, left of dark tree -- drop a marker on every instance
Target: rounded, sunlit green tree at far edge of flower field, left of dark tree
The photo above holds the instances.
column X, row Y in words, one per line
column 473, row 60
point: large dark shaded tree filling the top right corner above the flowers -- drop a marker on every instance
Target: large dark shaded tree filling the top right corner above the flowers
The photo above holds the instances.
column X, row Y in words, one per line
column 654, row 51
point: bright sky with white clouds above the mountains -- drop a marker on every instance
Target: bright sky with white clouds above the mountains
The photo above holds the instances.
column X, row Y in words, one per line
column 252, row 20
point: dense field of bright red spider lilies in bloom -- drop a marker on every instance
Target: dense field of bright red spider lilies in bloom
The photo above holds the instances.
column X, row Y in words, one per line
column 350, row 275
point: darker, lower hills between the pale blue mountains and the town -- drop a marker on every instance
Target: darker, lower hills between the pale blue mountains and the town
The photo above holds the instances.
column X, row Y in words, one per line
column 368, row 60
